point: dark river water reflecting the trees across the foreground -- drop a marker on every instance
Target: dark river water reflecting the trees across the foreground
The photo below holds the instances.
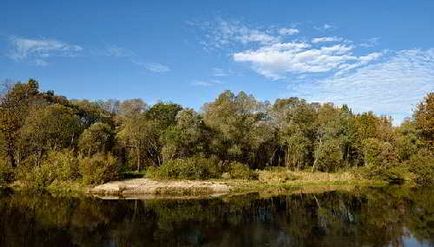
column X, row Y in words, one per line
column 368, row 217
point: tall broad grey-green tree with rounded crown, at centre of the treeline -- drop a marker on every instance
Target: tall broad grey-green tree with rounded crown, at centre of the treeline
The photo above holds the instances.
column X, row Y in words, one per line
column 238, row 124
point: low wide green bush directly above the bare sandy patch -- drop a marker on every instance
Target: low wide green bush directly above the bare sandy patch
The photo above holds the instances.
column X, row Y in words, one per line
column 196, row 167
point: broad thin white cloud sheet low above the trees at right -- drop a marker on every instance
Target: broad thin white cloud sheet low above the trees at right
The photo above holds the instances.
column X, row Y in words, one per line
column 391, row 87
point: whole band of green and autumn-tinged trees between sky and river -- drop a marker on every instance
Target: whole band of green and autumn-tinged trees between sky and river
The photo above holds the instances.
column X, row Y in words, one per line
column 46, row 138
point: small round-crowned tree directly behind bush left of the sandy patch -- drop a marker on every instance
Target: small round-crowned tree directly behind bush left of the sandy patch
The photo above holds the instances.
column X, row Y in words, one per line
column 98, row 138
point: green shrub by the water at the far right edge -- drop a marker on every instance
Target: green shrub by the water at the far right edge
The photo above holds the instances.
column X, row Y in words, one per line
column 422, row 167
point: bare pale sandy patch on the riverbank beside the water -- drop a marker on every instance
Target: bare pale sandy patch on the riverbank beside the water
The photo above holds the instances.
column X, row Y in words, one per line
column 143, row 188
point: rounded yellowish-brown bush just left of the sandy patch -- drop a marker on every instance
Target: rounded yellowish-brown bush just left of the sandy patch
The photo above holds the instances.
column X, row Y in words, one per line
column 99, row 168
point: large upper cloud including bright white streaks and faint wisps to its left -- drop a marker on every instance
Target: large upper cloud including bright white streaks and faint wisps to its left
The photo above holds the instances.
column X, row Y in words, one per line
column 274, row 53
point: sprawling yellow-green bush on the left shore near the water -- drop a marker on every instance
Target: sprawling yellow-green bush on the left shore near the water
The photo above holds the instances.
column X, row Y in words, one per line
column 57, row 166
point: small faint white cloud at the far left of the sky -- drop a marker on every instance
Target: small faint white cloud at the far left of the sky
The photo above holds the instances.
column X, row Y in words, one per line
column 38, row 50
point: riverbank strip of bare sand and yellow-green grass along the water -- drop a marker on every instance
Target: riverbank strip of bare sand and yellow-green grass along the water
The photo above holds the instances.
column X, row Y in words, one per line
column 268, row 183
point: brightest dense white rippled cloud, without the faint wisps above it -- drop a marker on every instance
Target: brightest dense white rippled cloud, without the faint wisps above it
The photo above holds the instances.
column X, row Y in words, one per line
column 276, row 61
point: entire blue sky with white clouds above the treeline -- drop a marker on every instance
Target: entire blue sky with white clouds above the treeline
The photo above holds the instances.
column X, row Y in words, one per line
column 371, row 55
